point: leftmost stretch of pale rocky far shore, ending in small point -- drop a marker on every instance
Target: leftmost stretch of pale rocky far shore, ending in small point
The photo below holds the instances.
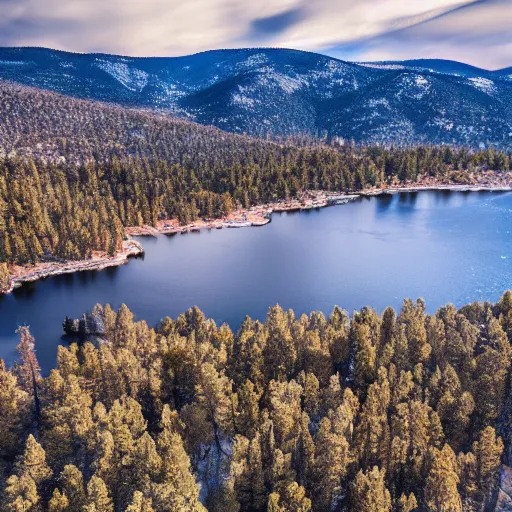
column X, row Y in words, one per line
column 131, row 248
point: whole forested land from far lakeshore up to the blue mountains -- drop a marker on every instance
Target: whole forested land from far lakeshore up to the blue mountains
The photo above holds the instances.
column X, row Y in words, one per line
column 74, row 173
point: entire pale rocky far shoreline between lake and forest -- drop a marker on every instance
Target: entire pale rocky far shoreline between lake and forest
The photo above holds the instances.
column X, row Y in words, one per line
column 255, row 216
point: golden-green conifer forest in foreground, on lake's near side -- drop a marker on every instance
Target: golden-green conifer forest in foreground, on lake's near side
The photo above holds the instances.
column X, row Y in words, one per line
column 374, row 413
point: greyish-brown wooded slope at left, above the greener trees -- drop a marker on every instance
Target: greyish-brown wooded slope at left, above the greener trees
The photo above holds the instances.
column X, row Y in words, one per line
column 35, row 123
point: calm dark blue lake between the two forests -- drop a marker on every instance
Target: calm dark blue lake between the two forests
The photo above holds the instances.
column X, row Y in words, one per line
column 439, row 245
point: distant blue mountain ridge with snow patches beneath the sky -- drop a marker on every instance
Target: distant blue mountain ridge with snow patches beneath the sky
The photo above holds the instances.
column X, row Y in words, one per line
column 263, row 91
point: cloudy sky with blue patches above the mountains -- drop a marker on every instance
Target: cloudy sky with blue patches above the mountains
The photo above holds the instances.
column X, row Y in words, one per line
column 478, row 32
